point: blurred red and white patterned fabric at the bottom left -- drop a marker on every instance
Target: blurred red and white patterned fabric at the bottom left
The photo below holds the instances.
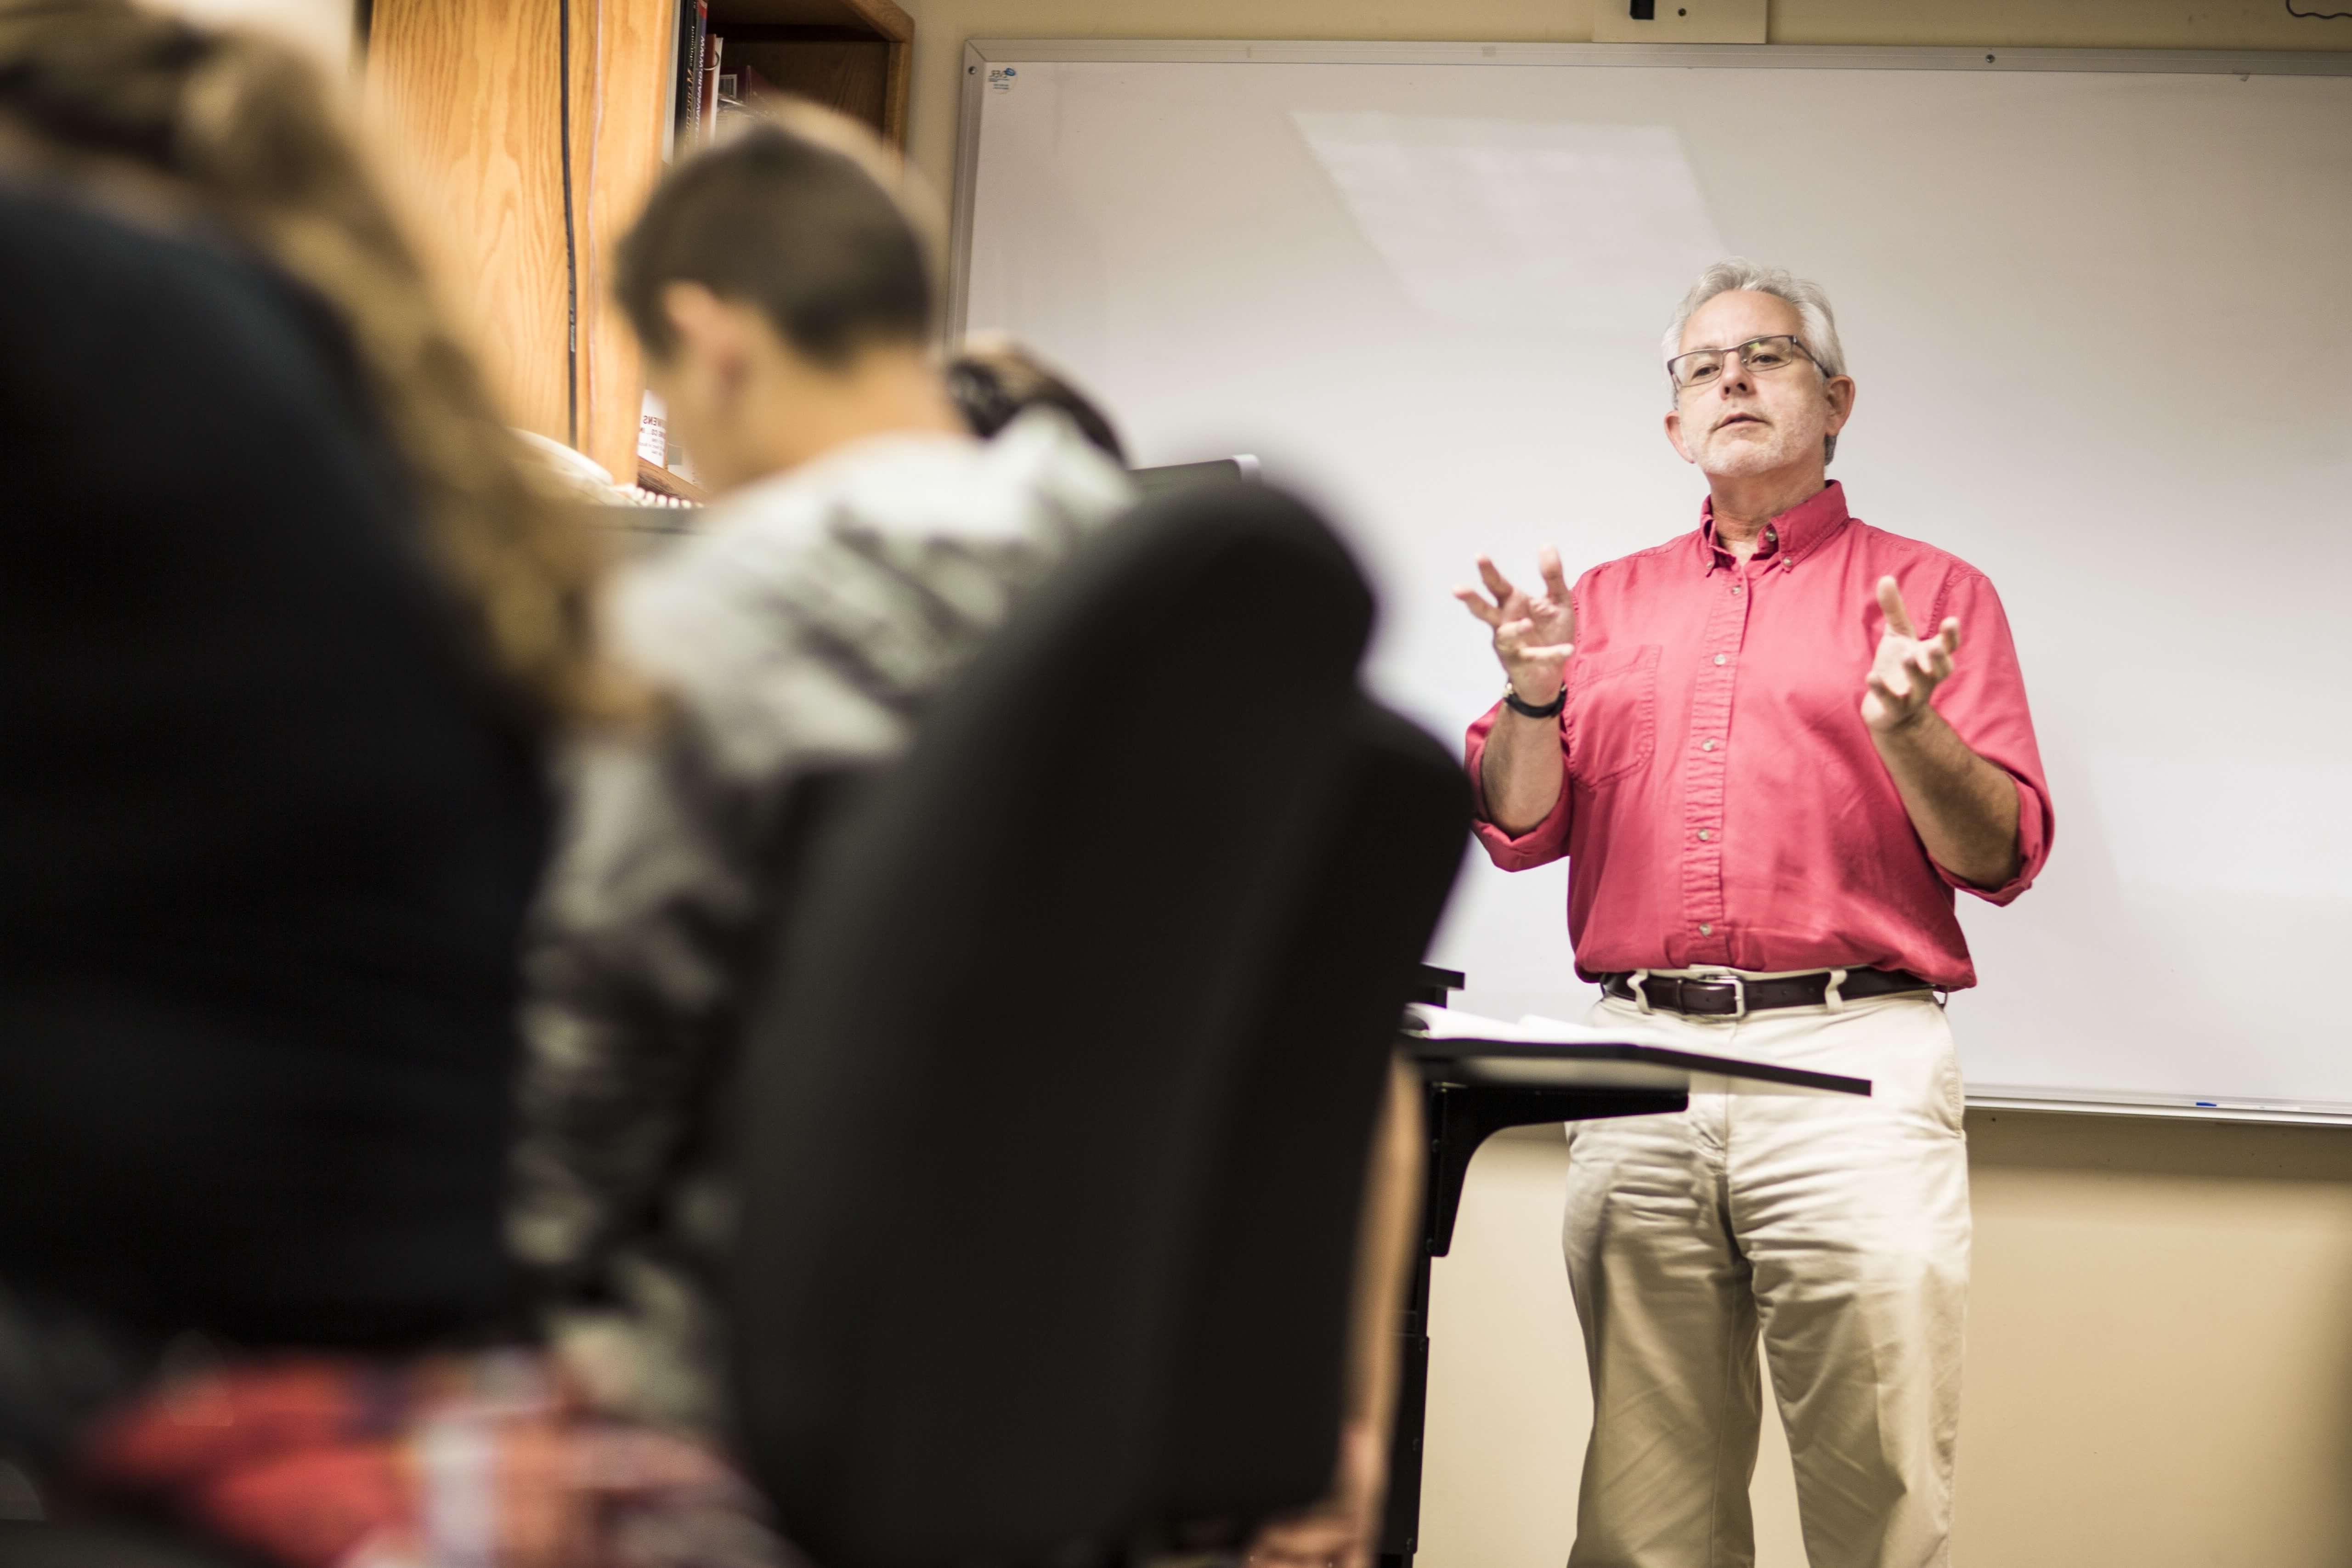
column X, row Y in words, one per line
column 441, row 1463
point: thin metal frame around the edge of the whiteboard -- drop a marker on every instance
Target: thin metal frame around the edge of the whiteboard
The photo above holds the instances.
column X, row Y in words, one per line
column 980, row 53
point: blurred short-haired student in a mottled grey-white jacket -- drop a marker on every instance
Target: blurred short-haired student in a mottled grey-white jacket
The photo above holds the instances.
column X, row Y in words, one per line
column 862, row 549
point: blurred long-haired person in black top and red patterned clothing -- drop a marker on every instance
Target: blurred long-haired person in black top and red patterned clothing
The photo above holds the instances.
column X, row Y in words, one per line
column 283, row 641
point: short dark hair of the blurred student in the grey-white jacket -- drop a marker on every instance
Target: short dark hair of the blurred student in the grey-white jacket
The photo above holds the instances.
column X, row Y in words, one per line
column 791, row 227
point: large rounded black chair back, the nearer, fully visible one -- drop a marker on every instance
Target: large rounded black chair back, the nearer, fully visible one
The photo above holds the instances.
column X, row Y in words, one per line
column 984, row 1104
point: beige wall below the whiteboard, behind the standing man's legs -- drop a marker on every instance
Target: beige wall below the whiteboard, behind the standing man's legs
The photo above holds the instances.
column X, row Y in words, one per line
column 2160, row 1355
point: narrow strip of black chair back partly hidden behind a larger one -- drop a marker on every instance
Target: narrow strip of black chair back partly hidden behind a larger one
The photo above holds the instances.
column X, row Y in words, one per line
column 1259, row 1372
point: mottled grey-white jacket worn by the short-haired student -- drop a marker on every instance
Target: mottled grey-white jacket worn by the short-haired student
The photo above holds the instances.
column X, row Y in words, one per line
column 801, row 629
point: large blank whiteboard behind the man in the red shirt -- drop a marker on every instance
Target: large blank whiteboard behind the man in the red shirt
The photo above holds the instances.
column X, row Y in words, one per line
column 2099, row 309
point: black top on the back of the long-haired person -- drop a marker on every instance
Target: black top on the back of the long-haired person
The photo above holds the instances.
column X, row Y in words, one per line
column 267, row 826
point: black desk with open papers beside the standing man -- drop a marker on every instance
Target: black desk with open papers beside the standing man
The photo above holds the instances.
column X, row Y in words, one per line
column 1478, row 1087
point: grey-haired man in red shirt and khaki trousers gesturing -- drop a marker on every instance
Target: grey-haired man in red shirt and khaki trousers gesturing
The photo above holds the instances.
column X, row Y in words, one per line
column 1768, row 779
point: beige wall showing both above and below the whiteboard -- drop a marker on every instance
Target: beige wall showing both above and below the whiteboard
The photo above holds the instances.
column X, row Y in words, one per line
column 2160, row 1365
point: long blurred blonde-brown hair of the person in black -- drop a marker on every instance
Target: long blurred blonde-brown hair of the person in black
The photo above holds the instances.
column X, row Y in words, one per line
column 187, row 126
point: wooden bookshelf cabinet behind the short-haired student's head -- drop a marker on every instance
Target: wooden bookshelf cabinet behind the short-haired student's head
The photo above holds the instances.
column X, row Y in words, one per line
column 472, row 105
